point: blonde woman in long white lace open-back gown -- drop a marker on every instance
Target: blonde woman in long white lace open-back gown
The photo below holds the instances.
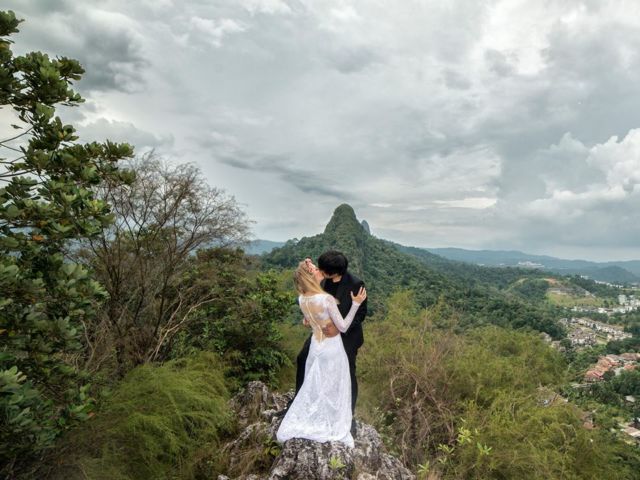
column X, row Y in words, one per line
column 321, row 410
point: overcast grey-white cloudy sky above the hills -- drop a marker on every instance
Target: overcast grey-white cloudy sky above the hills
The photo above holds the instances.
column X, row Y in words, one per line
column 476, row 124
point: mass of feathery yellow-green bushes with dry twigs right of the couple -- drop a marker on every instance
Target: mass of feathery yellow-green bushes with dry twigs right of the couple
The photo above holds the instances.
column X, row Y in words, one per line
column 478, row 405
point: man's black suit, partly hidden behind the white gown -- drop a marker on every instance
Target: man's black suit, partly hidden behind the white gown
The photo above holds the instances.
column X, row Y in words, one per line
column 352, row 339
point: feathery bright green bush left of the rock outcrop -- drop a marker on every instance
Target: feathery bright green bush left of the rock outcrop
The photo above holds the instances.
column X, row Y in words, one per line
column 159, row 422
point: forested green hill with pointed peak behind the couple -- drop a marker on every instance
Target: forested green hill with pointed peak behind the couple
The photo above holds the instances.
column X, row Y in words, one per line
column 385, row 268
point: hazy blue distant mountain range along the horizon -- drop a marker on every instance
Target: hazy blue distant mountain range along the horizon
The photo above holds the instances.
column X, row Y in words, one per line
column 623, row 272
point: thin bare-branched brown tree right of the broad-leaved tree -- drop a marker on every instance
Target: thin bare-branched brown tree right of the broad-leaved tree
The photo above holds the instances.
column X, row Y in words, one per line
column 145, row 258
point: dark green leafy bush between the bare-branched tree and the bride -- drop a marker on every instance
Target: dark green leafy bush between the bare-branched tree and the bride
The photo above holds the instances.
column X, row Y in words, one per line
column 242, row 324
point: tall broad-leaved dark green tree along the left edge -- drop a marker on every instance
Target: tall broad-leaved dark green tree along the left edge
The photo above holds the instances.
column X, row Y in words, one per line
column 47, row 200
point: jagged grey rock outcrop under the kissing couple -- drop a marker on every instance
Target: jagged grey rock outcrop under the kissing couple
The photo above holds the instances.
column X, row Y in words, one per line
column 259, row 415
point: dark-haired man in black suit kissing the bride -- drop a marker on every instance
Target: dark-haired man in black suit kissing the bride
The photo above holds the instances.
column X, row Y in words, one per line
column 339, row 283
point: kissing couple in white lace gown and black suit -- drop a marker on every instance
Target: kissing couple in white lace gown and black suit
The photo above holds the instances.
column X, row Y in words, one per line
column 333, row 303
